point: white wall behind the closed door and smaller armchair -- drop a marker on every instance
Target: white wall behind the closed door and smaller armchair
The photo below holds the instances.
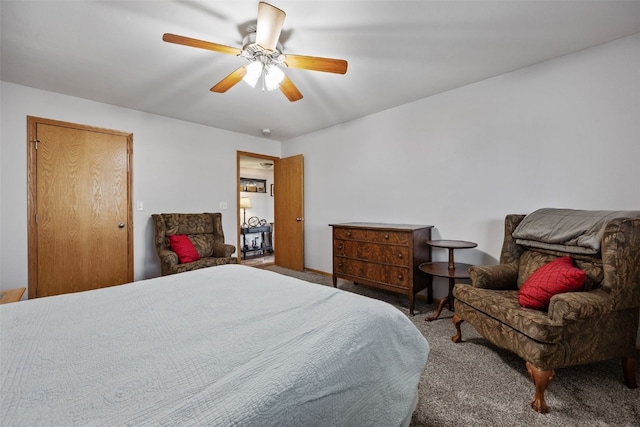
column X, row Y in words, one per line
column 177, row 167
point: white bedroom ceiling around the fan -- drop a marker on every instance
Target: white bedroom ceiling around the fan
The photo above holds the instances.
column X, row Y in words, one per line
column 398, row 52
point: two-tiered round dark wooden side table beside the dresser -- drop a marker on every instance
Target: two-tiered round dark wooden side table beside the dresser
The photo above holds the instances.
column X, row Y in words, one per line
column 451, row 270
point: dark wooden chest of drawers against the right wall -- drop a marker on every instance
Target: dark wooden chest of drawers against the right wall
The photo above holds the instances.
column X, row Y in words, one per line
column 384, row 256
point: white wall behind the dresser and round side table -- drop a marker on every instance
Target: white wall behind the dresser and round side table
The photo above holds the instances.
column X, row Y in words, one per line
column 564, row 133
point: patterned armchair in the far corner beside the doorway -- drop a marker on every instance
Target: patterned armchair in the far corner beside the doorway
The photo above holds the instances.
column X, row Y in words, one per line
column 205, row 232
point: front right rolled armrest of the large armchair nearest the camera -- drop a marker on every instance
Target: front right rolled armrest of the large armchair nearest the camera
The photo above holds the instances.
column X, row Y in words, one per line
column 580, row 305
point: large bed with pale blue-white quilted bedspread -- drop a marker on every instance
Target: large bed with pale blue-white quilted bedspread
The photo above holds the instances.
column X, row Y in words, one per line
column 224, row 346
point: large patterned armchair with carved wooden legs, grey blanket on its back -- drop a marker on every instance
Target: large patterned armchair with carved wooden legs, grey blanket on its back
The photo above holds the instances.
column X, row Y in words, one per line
column 598, row 322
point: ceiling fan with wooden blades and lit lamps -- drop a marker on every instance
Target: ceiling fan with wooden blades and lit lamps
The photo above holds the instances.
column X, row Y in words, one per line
column 264, row 53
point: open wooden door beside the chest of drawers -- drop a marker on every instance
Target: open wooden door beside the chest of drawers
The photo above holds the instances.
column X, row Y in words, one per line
column 289, row 212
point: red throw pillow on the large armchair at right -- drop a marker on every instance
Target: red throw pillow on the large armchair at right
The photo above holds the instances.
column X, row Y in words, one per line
column 555, row 277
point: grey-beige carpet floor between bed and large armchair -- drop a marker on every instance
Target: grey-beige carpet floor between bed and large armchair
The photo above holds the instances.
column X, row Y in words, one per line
column 474, row 383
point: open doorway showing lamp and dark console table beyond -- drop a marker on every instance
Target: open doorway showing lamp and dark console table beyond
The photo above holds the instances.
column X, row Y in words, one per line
column 256, row 217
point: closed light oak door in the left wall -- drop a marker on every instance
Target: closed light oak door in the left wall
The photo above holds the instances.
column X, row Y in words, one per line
column 80, row 216
